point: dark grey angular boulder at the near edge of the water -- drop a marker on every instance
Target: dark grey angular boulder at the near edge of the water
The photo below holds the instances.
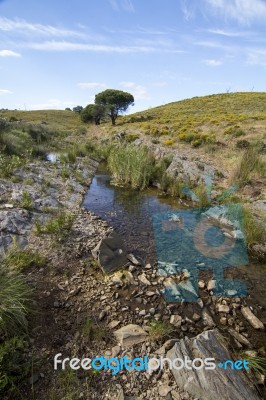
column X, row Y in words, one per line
column 110, row 253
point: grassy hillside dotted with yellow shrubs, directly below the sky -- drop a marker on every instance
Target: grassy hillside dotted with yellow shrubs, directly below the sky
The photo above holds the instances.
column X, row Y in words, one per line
column 221, row 119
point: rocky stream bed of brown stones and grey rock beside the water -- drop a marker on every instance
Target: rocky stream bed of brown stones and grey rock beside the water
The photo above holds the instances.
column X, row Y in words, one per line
column 80, row 311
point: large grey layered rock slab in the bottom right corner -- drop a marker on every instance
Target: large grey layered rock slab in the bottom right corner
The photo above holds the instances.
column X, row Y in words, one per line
column 219, row 383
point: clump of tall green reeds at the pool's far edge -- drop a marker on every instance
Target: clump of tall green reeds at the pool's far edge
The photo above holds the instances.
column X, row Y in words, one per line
column 131, row 165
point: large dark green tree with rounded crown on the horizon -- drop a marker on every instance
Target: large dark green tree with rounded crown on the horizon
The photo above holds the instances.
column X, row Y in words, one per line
column 114, row 102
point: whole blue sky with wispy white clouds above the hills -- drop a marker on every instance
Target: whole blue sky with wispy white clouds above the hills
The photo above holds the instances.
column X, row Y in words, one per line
column 56, row 54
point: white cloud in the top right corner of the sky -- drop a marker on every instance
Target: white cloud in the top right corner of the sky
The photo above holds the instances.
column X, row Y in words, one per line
column 243, row 11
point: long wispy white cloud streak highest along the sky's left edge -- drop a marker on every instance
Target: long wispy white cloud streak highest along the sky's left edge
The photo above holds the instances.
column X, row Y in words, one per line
column 24, row 27
